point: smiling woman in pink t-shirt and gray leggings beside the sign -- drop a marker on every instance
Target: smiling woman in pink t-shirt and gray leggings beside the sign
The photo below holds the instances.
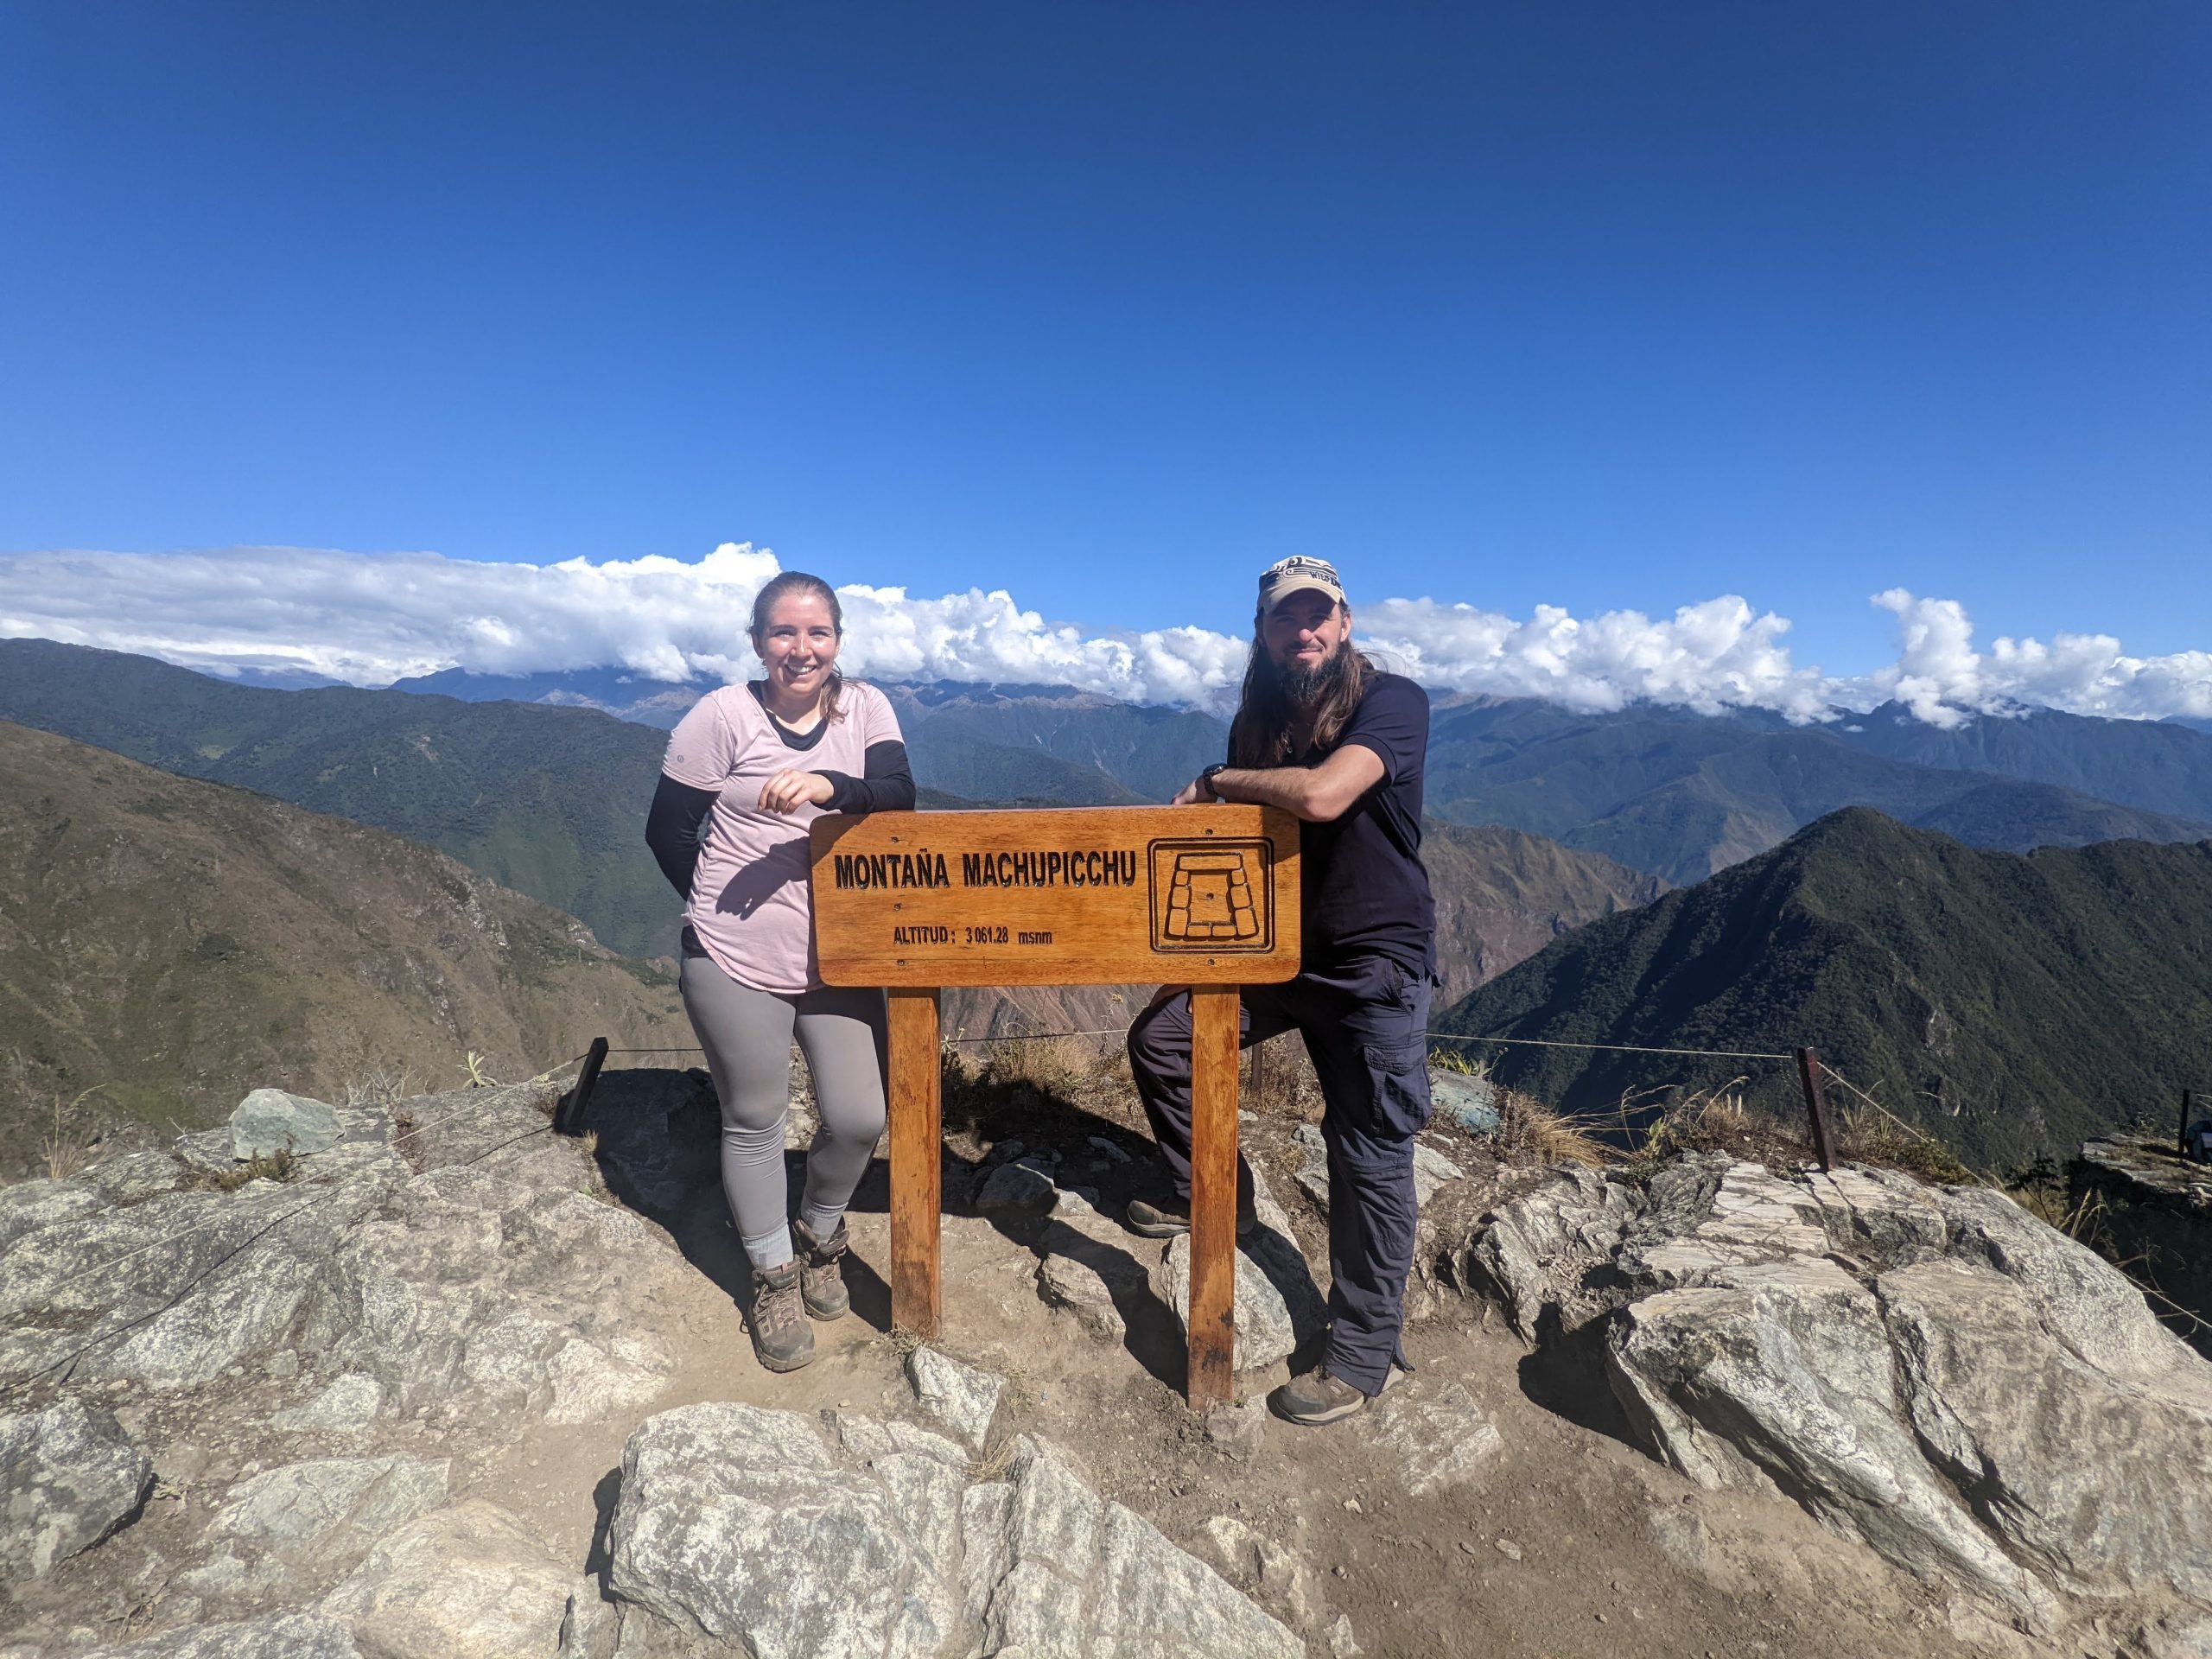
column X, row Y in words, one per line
column 747, row 773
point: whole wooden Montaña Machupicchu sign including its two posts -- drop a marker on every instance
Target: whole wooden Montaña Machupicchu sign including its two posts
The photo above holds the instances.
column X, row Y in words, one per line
column 1202, row 897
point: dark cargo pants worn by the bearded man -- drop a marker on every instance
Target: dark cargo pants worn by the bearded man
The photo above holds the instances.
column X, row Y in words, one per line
column 1364, row 1027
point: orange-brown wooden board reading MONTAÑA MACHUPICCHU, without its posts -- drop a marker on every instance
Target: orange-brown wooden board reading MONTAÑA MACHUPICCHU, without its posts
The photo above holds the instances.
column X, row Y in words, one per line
column 1070, row 897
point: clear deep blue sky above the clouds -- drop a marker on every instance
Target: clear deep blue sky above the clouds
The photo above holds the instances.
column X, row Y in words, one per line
column 1603, row 306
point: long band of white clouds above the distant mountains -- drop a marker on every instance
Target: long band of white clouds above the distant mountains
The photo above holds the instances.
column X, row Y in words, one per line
column 379, row 618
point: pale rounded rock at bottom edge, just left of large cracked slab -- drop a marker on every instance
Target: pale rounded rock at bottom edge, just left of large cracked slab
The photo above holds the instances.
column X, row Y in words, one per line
column 463, row 1583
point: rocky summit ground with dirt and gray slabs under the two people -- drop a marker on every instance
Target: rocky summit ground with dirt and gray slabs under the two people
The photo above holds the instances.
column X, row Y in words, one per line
column 437, row 1381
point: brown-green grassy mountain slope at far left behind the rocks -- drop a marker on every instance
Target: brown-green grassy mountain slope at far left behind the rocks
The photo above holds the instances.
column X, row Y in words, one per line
column 171, row 943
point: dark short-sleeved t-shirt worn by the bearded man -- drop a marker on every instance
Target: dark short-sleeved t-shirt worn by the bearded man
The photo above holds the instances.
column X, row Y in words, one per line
column 1364, row 884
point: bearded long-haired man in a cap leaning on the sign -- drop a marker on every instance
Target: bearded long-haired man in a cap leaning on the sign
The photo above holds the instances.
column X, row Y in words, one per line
column 1331, row 738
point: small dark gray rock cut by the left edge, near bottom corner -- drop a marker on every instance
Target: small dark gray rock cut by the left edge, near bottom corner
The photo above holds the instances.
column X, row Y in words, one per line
column 67, row 1481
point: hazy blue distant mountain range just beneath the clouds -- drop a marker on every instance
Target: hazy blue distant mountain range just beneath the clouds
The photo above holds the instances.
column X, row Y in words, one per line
column 1665, row 791
